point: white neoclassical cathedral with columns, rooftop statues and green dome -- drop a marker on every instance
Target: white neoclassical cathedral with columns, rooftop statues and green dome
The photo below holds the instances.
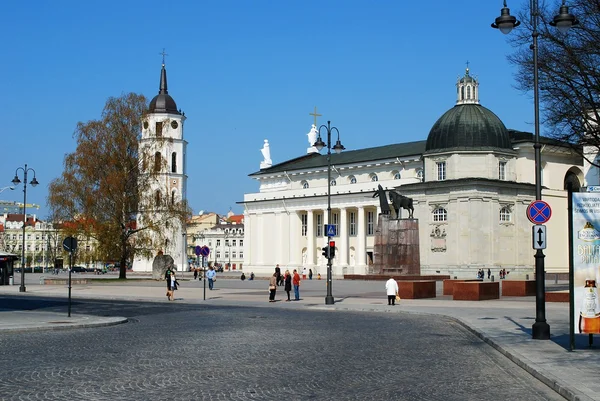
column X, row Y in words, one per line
column 471, row 181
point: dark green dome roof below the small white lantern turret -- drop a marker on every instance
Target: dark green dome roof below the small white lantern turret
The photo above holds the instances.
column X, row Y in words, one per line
column 468, row 127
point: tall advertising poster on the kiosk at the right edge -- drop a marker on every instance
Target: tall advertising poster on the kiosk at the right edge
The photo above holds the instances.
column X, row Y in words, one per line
column 586, row 263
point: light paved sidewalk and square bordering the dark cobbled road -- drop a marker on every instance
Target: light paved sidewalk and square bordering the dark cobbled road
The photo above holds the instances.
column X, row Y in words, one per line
column 505, row 324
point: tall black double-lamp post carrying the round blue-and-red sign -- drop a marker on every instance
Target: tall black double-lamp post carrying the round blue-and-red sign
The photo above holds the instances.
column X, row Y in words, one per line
column 563, row 21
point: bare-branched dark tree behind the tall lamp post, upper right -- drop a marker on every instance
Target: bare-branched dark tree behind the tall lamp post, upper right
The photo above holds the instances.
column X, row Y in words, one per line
column 569, row 71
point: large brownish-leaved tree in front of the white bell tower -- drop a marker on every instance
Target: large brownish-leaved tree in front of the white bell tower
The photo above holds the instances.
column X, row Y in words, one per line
column 106, row 182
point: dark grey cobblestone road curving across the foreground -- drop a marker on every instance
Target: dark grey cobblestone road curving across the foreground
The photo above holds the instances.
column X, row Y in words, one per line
column 195, row 352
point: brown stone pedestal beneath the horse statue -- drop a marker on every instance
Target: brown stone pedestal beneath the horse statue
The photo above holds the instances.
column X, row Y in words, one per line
column 396, row 250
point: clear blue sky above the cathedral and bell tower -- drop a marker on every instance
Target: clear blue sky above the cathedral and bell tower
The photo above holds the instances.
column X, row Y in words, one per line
column 243, row 71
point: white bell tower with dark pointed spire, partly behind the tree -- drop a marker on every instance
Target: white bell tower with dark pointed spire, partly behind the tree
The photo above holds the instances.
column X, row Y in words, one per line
column 162, row 139
